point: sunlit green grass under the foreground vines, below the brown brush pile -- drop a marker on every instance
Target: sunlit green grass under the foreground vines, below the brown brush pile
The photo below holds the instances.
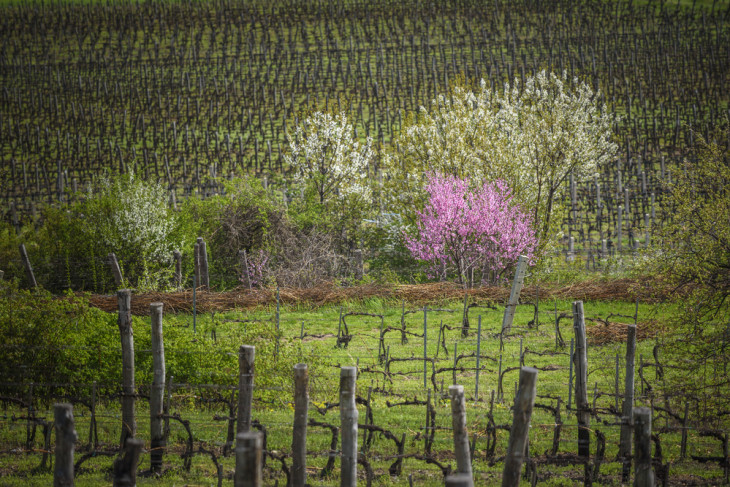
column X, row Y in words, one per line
column 276, row 412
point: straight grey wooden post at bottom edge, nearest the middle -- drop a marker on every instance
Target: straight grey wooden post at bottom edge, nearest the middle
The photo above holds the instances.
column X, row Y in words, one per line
column 348, row 426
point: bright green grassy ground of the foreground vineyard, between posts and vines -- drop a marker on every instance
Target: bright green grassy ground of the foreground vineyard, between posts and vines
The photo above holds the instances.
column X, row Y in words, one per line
column 313, row 332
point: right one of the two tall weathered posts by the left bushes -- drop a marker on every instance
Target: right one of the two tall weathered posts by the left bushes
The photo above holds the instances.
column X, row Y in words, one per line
column 157, row 392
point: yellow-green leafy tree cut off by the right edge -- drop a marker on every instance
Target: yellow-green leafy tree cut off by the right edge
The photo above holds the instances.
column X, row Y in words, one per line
column 694, row 257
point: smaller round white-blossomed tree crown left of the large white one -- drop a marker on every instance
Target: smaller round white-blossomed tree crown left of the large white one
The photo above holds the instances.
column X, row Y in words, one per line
column 325, row 154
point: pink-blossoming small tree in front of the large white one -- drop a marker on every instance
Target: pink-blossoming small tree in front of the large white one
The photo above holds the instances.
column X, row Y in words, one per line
column 480, row 229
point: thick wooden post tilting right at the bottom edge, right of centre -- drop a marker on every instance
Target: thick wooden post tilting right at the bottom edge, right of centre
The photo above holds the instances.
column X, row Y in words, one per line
column 519, row 432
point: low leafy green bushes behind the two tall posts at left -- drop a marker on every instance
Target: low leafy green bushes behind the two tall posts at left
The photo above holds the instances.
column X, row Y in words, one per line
column 47, row 339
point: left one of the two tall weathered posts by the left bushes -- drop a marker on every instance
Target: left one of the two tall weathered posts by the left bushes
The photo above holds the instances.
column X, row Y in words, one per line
column 129, row 425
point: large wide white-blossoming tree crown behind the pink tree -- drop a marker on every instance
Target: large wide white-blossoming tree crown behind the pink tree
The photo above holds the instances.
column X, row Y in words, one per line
column 532, row 136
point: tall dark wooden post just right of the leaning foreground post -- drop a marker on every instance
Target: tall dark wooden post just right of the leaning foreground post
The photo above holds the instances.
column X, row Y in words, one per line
column 580, row 358
